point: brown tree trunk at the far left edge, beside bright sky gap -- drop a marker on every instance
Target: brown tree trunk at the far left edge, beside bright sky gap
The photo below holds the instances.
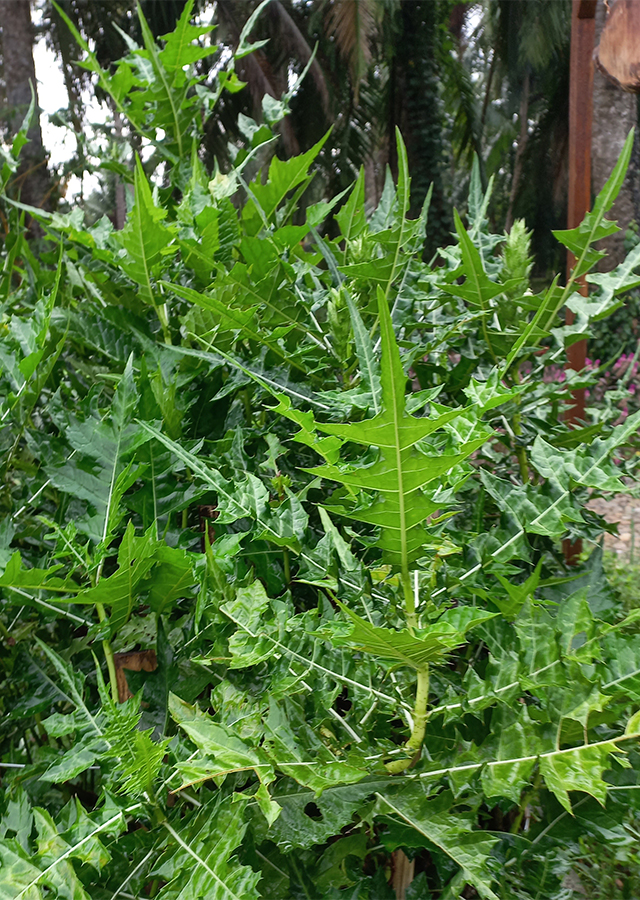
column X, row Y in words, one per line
column 32, row 181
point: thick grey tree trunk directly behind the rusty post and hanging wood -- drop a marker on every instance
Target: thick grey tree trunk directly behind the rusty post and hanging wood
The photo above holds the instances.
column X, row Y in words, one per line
column 614, row 114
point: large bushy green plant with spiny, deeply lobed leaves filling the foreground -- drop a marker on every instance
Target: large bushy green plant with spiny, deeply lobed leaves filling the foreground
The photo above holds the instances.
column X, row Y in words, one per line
column 320, row 489
